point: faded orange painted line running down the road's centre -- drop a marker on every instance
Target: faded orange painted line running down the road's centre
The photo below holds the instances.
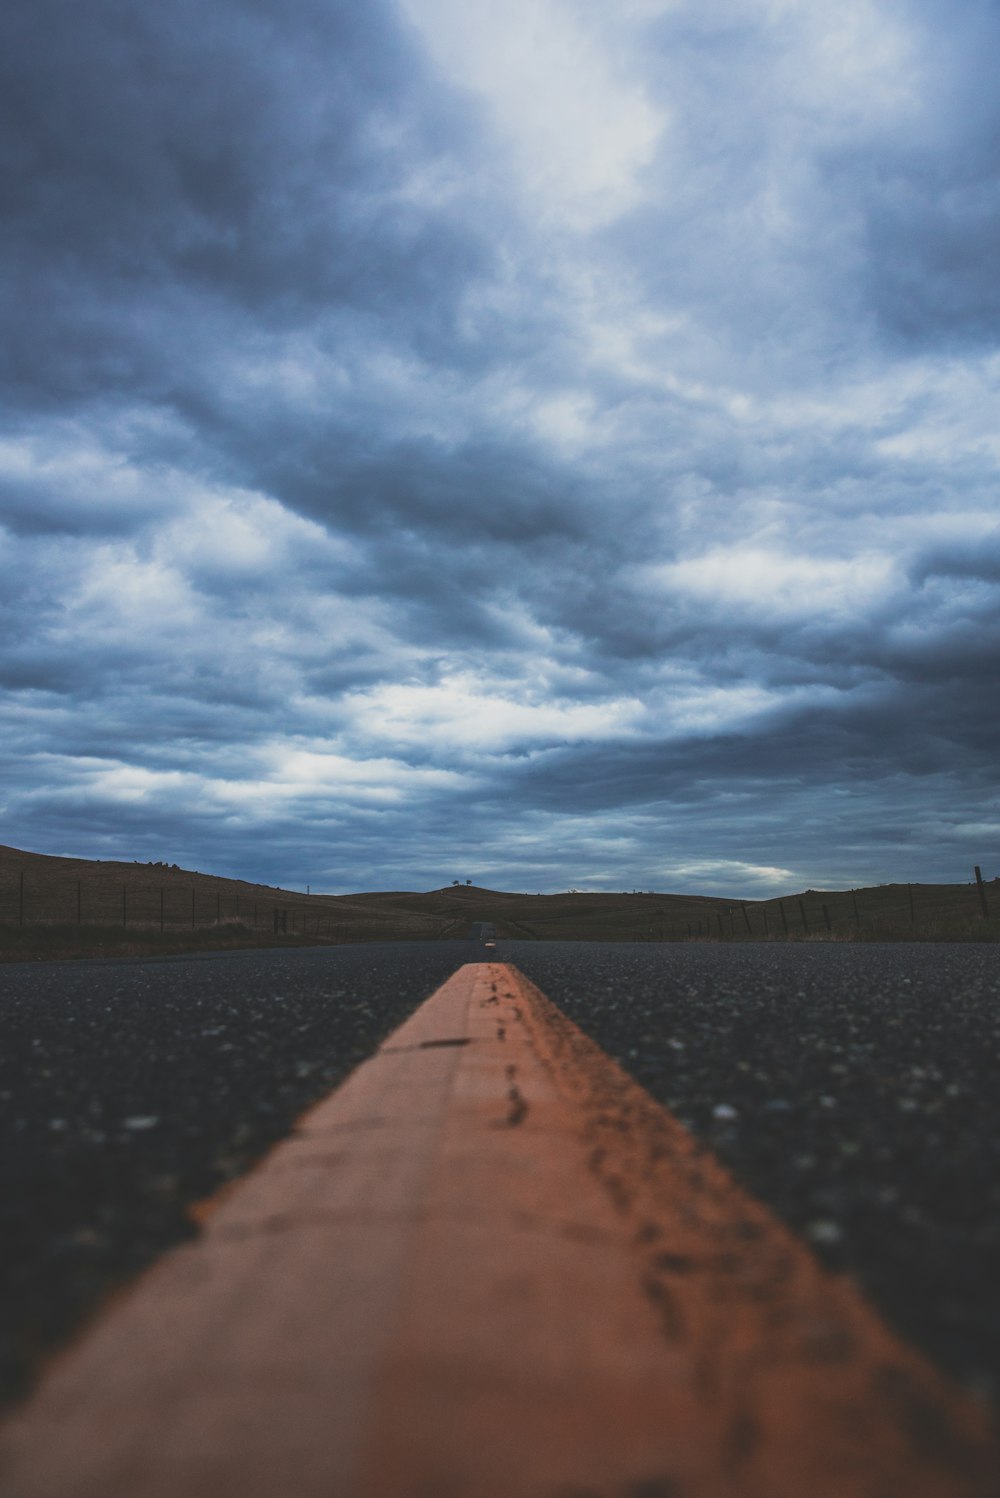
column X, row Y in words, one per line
column 490, row 1267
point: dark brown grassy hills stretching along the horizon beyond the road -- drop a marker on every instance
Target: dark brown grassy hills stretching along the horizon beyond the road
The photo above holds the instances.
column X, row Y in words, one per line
column 79, row 907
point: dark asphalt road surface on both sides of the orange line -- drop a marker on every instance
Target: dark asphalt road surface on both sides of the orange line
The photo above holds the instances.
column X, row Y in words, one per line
column 853, row 1088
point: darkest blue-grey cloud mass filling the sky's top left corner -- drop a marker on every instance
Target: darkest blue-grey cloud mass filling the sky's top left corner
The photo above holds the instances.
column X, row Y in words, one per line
column 173, row 178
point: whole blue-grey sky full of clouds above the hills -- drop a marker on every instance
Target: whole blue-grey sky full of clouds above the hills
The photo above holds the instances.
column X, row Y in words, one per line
column 532, row 441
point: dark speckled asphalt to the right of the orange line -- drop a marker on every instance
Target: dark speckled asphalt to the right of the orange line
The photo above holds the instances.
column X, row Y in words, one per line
column 856, row 1090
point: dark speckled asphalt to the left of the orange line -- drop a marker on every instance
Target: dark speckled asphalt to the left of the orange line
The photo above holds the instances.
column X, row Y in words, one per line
column 131, row 1090
